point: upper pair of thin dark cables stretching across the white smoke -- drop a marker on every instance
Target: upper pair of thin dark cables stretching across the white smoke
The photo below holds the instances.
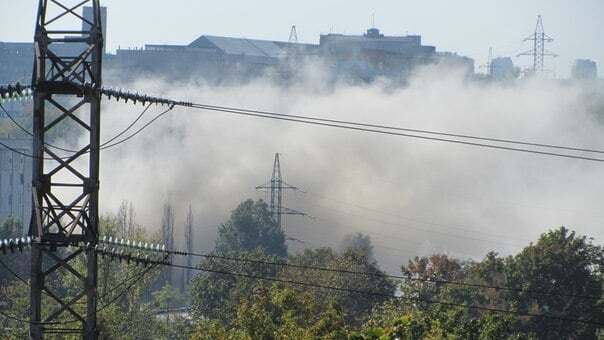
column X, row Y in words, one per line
column 438, row 139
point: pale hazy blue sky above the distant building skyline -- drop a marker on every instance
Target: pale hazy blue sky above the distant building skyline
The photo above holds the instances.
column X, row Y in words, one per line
column 468, row 27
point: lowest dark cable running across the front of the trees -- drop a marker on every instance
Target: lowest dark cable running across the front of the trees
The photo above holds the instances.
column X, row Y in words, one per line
column 413, row 299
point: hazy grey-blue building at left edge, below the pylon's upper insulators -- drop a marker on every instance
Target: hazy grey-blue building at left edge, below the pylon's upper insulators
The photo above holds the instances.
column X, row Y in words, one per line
column 15, row 180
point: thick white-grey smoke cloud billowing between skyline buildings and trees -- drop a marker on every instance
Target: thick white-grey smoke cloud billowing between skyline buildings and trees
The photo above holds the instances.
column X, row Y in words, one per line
column 413, row 197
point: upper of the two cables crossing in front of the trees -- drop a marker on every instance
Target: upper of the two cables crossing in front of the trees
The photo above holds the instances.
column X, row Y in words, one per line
column 375, row 274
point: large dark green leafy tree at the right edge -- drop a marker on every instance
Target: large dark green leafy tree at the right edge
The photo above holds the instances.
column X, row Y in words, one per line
column 559, row 263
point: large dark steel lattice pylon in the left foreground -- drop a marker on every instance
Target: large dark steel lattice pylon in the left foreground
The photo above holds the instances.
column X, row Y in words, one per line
column 67, row 78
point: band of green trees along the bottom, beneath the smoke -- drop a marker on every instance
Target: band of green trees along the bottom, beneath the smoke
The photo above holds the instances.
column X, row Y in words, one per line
column 252, row 287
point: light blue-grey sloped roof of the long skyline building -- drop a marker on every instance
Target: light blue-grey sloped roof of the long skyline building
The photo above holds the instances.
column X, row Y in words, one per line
column 239, row 46
